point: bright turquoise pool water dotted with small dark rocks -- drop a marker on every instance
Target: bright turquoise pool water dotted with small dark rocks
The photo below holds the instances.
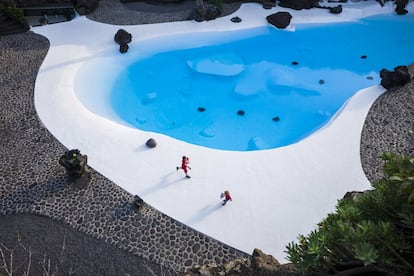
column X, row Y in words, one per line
column 260, row 91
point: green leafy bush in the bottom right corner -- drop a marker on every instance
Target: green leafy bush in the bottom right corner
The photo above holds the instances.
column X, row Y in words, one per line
column 373, row 232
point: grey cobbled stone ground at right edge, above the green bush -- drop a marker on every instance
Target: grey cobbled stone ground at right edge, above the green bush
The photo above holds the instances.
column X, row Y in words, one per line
column 386, row 129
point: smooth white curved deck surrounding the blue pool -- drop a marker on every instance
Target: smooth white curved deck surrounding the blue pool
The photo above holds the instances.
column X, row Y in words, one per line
column 277, row 194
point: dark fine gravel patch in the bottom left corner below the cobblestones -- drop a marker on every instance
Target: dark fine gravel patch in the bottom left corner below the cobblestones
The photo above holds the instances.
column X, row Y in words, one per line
column 50, row 246
